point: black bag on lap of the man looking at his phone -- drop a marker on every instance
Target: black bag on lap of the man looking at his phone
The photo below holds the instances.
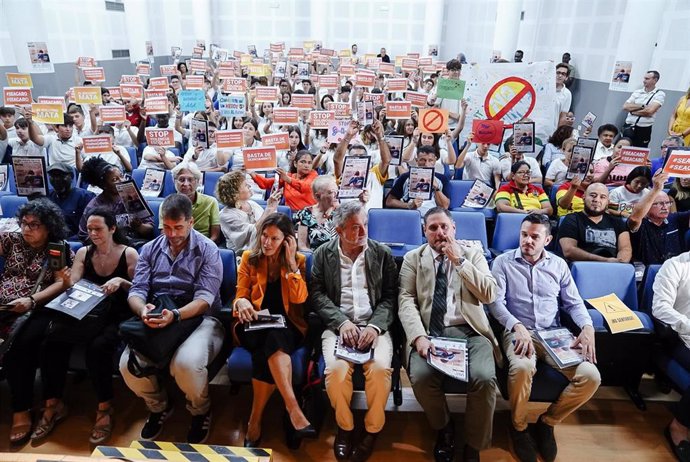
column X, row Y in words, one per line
column 156, row 346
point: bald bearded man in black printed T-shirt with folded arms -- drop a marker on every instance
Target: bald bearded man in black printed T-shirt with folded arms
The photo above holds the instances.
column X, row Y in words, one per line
column 592, row 235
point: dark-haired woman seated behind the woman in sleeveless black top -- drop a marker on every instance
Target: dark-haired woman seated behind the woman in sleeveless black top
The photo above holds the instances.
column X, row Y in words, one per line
column 105, row 176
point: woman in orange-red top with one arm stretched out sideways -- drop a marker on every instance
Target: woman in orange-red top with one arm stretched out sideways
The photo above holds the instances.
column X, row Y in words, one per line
column 296, row 184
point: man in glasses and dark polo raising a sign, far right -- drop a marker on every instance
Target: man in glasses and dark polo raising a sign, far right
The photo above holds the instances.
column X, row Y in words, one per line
column 656, row 233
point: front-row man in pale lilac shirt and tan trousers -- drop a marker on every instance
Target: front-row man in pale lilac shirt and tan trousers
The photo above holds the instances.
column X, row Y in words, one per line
column 530, row 282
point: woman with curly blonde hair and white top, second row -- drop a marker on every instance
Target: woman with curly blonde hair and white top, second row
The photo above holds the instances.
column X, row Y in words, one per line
column 241, row 217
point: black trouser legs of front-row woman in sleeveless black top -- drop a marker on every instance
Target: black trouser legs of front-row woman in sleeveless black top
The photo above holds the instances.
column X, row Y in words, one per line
column 99, row 364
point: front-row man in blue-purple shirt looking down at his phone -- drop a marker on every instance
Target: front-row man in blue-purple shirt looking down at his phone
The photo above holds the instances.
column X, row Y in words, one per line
column 185, row 265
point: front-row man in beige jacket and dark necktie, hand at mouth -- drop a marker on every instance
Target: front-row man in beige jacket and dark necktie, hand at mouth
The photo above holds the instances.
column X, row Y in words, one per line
column 442, row 291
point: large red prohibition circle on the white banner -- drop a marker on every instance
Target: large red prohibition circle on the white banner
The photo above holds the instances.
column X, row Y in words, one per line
column 510, row 100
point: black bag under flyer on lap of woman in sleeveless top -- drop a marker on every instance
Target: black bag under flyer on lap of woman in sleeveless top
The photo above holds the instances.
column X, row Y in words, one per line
column 66, row 329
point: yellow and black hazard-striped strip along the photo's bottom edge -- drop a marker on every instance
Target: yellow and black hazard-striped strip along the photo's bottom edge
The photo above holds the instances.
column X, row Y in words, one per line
column 174, row 456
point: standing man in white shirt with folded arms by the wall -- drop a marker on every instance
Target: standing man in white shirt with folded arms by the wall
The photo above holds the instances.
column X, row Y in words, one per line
column 642, row 106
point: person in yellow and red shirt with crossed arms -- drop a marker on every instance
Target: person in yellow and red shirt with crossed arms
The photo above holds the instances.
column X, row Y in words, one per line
column 519, row 195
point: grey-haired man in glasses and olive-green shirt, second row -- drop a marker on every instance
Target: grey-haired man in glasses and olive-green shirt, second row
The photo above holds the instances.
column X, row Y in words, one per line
column 187, row 177
